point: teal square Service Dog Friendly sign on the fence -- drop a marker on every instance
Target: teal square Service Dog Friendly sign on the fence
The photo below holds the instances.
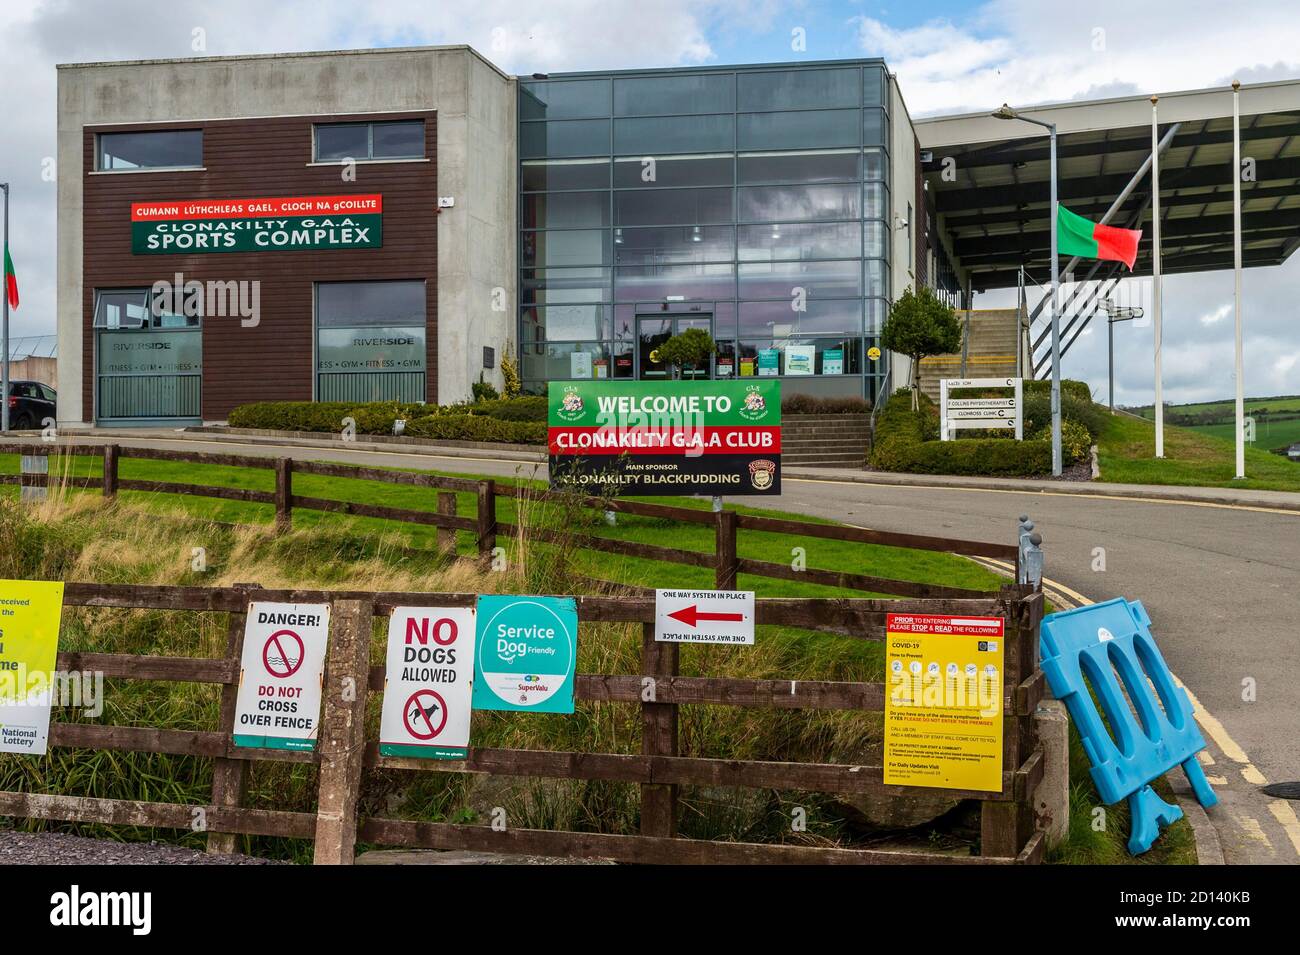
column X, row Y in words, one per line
column 526, row 653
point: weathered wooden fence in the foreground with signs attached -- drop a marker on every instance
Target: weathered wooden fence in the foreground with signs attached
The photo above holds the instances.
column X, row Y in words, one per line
column 345, row 749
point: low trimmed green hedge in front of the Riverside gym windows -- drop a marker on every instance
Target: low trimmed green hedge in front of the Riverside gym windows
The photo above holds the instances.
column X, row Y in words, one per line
column 505, row 420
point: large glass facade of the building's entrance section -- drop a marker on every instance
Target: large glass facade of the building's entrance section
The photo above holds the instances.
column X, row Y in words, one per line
column 749, row 202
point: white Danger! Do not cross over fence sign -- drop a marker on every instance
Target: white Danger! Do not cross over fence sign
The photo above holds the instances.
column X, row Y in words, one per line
column 280, row 680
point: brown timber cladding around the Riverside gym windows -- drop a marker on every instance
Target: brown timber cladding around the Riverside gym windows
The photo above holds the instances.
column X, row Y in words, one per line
column 254, row 159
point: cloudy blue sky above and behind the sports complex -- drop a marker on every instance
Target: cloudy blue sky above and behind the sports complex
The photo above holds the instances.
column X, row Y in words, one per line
column 948, row 57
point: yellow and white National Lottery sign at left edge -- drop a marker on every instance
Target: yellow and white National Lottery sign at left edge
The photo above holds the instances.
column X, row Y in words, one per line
column 31, row 613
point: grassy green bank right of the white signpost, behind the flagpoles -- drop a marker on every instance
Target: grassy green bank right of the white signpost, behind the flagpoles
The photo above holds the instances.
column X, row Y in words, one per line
column 1126, row 455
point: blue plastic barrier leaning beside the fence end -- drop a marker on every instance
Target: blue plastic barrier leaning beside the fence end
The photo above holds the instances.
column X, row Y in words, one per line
column 1111, row 648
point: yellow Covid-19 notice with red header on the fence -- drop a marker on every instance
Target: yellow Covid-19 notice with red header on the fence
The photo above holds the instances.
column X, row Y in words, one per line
column 944, row 702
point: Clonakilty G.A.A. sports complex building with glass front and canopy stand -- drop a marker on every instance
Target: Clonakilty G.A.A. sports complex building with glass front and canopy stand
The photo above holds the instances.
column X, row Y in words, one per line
column 391, row 224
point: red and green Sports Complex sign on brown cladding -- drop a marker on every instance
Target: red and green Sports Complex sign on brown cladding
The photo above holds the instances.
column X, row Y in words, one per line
column 284, row 224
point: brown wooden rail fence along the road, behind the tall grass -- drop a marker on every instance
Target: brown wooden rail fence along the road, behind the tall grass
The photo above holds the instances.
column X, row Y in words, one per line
column 486, row 528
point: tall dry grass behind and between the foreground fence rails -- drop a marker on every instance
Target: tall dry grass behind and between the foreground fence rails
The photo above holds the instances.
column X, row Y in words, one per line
column 81, row 539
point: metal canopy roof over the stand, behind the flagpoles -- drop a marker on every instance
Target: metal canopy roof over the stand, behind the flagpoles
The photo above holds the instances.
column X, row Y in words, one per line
column 995, row 203
